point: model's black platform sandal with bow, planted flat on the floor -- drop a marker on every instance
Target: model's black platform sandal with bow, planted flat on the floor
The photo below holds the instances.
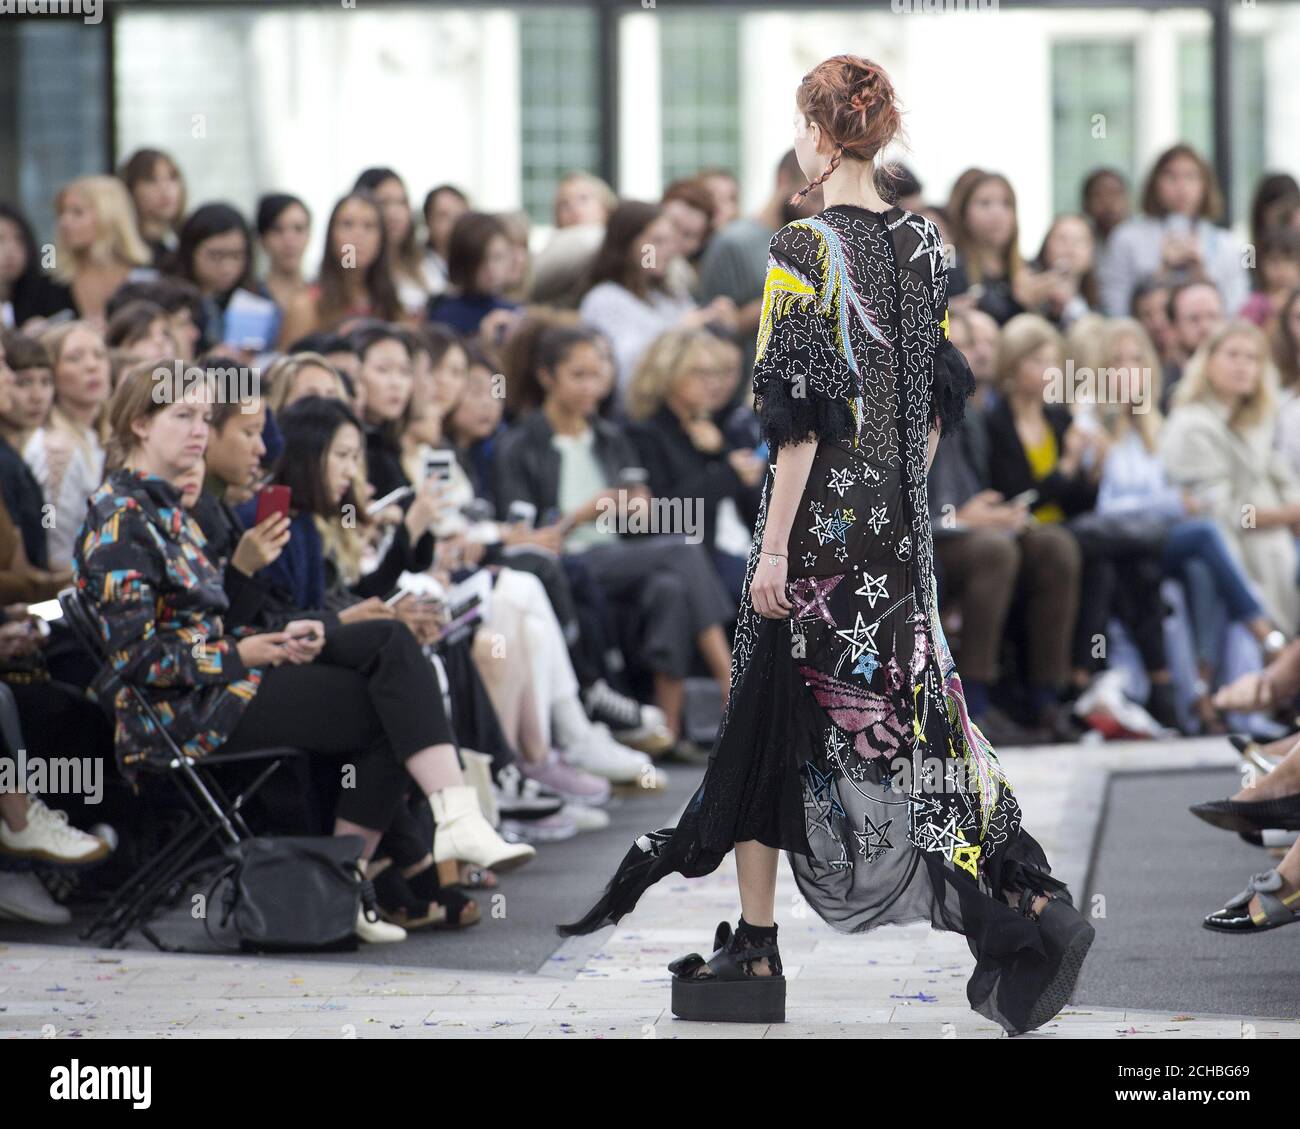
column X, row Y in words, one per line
column 726, row 988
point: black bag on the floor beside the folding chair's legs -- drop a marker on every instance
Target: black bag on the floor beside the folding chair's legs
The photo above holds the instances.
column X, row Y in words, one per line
column 293, row 894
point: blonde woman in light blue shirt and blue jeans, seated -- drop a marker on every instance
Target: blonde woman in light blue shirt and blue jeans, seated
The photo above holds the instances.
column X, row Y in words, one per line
column 1134, row 485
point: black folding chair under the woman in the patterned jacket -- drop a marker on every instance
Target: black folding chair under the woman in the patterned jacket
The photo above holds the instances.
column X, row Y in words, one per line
column 214, row 823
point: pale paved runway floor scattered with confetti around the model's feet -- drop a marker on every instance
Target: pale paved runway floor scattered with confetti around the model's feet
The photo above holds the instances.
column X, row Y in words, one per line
column 898, row 983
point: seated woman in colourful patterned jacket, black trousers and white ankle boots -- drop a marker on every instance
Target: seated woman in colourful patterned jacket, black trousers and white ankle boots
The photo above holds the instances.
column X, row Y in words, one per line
column 161, row 604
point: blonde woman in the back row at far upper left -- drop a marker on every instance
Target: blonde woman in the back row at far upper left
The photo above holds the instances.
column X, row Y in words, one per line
column 98, row 248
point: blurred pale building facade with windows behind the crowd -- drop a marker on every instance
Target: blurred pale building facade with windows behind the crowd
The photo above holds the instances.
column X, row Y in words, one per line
column 504, row 101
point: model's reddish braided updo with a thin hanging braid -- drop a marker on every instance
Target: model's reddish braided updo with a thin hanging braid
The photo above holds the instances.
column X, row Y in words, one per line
column 853, row 102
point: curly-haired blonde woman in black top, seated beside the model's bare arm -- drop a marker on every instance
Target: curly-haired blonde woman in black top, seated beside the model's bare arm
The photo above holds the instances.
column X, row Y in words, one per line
column 671, row 400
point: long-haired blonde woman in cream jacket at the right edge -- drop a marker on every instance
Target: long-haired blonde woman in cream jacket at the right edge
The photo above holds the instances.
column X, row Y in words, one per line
column 1219, row 447
